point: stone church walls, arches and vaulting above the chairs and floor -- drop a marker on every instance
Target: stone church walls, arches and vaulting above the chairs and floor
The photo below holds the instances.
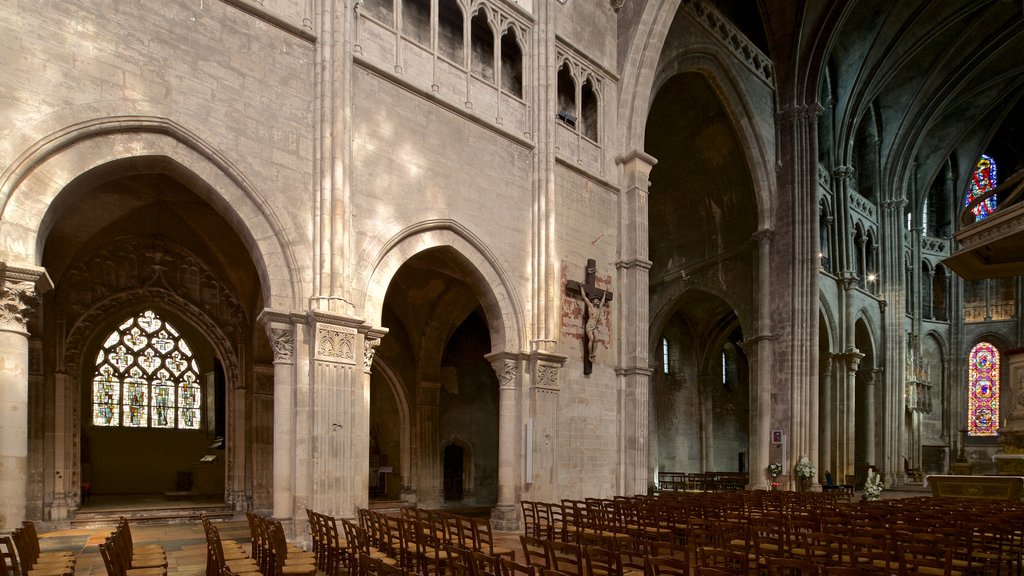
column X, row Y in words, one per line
column 462, row 255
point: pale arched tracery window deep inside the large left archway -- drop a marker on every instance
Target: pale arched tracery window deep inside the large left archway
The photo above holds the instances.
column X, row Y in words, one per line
column 146, row 378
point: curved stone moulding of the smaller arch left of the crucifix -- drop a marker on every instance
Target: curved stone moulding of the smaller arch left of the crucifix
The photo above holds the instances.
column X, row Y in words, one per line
column 492, row 283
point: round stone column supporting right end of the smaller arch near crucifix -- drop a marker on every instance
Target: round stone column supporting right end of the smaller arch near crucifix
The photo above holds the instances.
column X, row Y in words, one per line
column 507, row 367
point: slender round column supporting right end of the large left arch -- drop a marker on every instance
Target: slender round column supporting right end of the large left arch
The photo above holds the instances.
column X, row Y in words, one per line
column 281, row 334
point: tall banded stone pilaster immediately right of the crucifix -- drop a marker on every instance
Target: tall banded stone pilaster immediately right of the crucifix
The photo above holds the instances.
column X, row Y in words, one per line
column 634, row 367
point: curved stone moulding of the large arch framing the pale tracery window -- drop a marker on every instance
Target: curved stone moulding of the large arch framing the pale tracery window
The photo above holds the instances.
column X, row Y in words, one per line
column 37, row 177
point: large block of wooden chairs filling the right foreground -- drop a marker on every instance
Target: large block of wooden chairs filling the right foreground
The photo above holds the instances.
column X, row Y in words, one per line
column 759, row 533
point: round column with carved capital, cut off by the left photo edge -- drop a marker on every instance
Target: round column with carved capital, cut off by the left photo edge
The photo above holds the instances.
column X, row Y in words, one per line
column 19, row 291
